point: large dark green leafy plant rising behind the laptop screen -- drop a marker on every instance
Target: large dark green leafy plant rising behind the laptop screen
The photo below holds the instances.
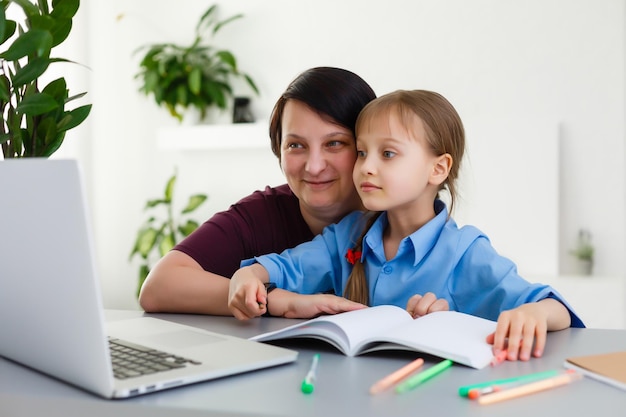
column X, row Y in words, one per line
column 35, row 119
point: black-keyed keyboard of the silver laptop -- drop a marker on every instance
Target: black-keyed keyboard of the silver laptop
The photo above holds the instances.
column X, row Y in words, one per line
column 132, row 360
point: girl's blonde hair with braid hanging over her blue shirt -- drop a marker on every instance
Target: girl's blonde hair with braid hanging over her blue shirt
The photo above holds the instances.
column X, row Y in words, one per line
column 444, row 134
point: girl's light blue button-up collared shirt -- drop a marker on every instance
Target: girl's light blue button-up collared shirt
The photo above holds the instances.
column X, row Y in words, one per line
column 458, row 264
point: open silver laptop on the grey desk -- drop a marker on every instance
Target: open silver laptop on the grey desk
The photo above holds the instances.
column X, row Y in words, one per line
column 51, row 311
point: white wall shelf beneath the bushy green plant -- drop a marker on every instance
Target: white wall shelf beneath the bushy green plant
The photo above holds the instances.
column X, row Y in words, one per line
column 214, row 137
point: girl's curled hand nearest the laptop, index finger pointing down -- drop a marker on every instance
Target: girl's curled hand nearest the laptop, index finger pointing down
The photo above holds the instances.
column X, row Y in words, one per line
column 247, row 297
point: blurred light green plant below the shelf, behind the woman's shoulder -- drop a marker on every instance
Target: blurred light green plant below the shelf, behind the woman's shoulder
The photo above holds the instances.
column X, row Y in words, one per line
column 157, row 236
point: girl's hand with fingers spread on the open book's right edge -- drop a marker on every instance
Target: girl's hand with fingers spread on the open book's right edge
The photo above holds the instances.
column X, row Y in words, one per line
column 518, row 329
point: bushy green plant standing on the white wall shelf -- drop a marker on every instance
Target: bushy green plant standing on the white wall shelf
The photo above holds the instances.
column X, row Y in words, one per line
column 198, row 75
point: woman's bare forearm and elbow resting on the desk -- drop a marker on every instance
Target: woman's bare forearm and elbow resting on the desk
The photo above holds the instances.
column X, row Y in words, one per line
column 177, row 283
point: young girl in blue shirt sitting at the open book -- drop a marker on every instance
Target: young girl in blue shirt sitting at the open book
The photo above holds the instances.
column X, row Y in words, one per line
column 406, row 250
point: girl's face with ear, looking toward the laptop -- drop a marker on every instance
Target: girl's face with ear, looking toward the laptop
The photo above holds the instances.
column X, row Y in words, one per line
column 395, row 168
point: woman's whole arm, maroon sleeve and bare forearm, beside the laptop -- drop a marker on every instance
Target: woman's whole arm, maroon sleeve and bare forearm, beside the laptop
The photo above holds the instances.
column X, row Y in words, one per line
column 264, row 222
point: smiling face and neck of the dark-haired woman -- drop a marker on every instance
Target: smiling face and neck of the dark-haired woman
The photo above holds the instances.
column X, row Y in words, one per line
column 317, row 158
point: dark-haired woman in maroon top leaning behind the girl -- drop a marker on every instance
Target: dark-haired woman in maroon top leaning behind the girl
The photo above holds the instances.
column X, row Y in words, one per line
column 312, row 134
